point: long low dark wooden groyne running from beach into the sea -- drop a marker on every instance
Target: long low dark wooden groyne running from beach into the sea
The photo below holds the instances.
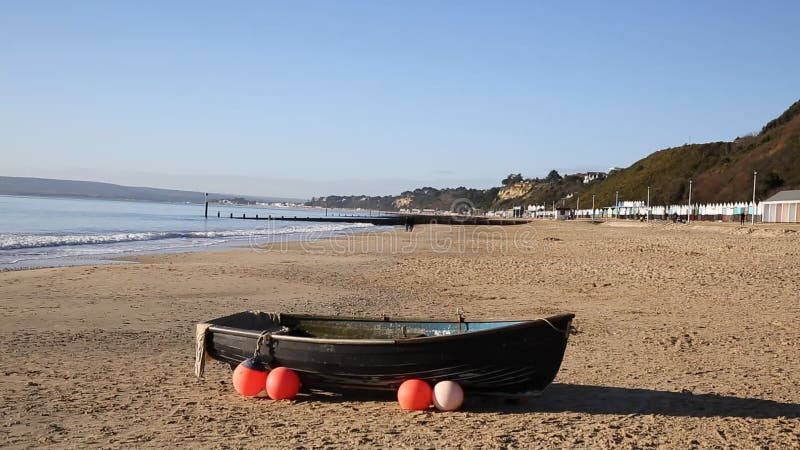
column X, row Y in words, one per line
column 388, row 220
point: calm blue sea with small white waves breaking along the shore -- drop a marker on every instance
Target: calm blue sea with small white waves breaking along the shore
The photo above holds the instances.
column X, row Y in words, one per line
column 52, row 231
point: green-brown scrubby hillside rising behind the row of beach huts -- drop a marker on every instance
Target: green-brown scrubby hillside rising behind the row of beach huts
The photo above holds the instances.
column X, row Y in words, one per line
column 721, row 171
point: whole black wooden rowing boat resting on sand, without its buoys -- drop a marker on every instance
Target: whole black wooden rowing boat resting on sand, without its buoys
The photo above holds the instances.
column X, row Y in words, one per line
column 333, row 353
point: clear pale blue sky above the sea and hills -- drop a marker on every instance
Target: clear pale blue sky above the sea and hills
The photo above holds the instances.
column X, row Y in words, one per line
column 338, row 97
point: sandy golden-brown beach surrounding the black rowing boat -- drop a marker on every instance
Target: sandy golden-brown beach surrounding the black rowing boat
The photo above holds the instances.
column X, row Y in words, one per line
column 686, row 336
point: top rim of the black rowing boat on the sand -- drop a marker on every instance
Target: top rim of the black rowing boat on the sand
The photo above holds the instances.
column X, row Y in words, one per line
column 413, row 340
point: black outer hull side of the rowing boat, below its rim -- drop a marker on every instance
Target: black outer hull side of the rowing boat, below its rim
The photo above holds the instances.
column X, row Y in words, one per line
column 516, row 359
